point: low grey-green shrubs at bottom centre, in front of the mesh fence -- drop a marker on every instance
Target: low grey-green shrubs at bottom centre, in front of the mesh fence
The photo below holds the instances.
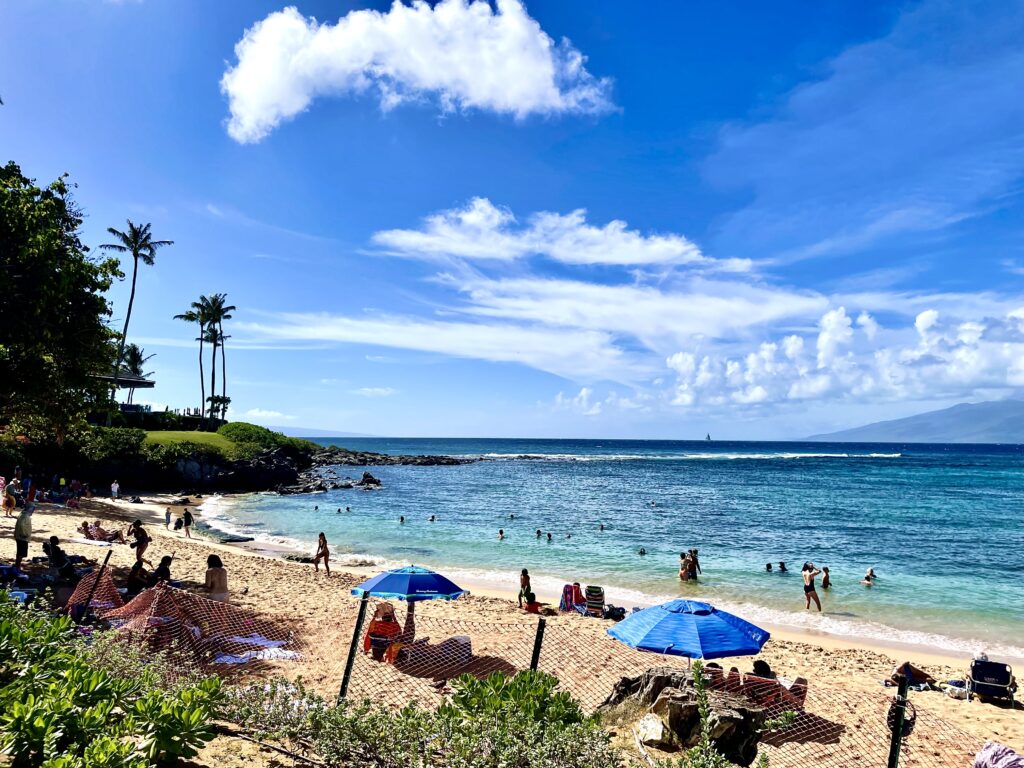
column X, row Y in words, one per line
column 495, row 723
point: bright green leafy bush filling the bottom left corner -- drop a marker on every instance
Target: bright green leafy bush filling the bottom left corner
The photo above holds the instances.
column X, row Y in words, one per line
column 62, row 709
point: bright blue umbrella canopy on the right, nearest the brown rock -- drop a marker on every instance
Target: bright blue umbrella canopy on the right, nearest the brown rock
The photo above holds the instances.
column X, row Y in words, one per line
column 689, row 628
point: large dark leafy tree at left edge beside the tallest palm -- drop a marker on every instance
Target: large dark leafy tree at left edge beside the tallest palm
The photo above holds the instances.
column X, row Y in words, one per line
column 54, row 335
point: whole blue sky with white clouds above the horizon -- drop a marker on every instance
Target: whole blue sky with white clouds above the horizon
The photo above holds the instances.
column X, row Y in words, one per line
column 551, row 220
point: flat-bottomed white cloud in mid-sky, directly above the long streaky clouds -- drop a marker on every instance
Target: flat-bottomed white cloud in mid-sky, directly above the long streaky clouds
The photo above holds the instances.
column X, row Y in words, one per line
column 482, row 231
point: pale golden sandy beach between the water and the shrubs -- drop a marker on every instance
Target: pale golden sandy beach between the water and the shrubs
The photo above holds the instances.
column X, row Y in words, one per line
column 844, row 673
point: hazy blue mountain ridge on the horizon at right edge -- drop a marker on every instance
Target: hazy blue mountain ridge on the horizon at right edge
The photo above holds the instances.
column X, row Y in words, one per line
column 1000, row 421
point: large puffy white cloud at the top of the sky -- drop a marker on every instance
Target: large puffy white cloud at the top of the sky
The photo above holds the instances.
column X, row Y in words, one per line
column 464, row 56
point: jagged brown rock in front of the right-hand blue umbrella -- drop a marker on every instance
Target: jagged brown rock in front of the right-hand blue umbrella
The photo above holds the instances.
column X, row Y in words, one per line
column 673, row 720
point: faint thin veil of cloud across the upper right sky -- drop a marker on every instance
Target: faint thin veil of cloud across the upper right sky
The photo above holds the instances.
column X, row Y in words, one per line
column 887, row 143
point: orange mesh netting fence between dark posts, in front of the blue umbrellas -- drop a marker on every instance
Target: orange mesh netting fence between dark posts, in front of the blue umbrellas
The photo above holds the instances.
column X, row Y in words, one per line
column 400, row 661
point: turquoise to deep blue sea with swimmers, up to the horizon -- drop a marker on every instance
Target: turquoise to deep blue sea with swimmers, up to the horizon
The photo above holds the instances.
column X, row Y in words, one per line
column 943, row 526
